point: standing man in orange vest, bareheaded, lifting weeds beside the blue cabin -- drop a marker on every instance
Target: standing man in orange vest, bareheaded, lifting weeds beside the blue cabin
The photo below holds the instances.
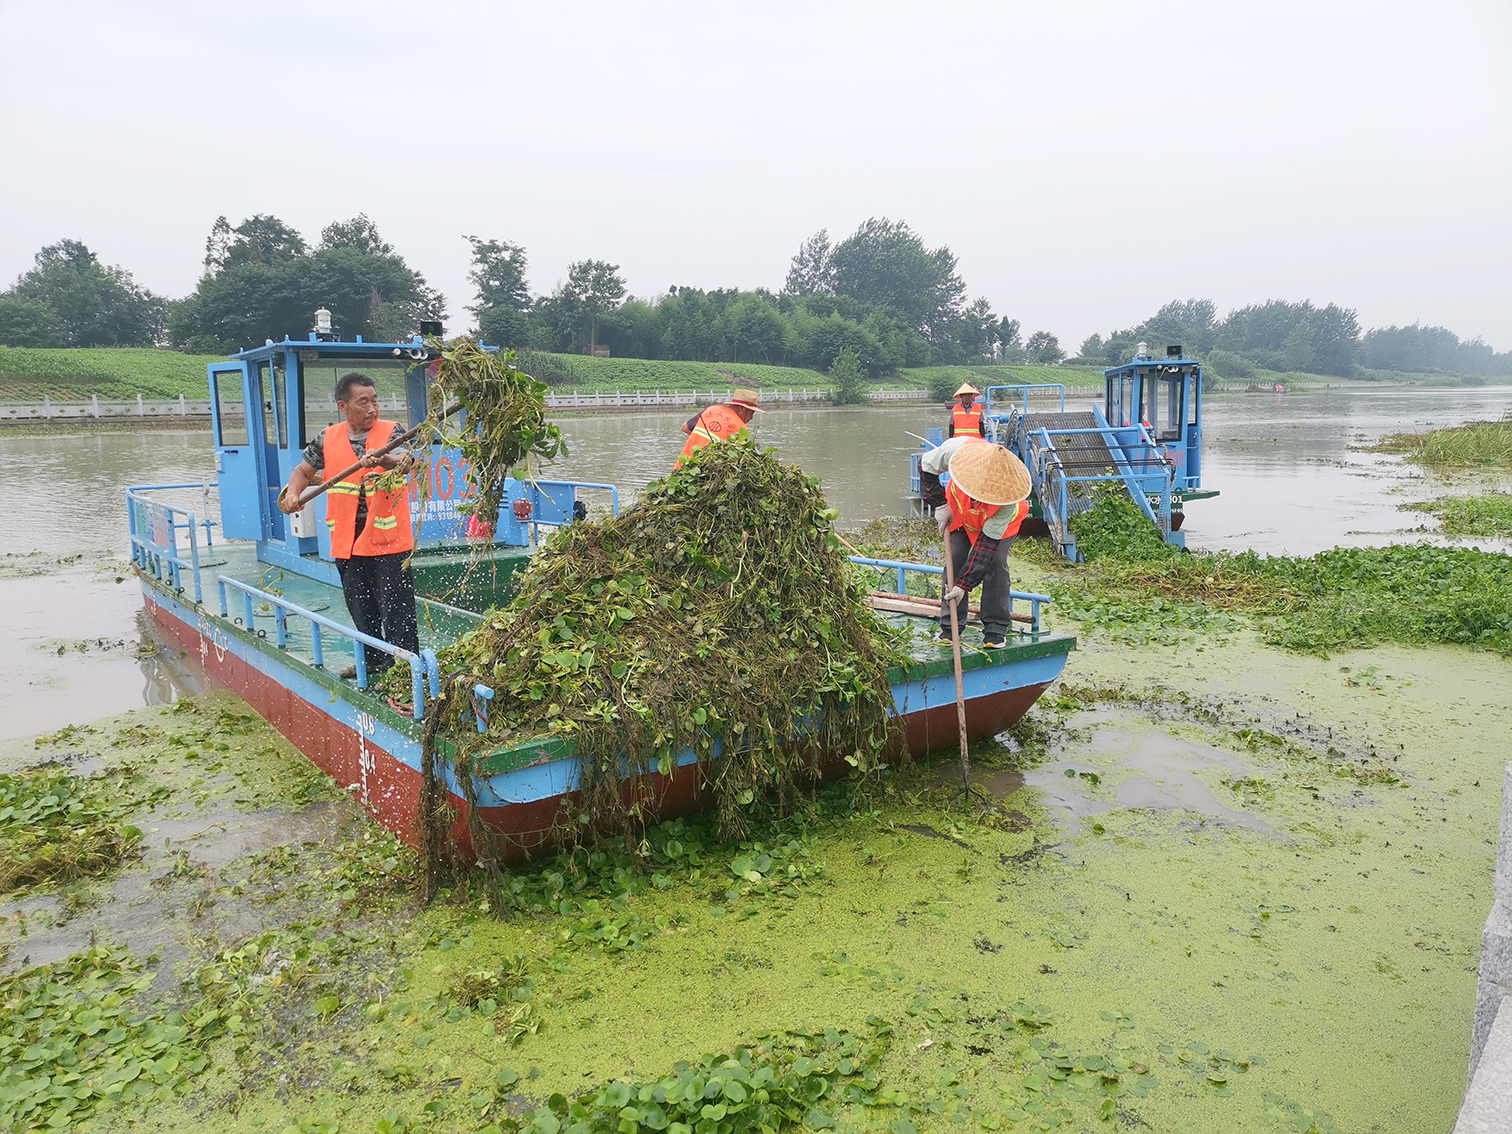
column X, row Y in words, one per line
column 371, row 538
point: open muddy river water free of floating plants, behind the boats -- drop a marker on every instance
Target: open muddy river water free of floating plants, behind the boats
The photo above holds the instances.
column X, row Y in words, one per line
column 1287, row 466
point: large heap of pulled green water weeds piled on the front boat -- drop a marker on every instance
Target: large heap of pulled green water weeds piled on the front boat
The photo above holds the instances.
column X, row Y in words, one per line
column 714, row 618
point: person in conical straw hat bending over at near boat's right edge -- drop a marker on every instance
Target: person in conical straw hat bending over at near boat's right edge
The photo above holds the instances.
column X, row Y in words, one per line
column 981, row 513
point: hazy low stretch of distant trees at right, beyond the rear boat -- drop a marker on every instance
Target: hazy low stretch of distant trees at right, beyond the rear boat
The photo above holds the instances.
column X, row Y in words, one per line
column 1295, row 336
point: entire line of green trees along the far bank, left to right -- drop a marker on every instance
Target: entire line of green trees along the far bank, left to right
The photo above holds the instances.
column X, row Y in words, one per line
column 881, row 297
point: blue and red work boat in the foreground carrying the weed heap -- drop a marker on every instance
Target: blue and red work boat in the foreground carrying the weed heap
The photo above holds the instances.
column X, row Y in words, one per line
column 253, row 601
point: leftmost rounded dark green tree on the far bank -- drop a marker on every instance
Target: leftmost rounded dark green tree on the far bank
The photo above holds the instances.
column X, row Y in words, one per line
column 91, row 303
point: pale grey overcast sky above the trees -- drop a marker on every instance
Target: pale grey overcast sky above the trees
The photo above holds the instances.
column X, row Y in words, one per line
column 1085, row 160
